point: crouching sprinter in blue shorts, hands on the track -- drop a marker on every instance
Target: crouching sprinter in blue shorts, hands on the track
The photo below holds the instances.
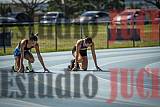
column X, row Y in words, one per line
column 23, row 51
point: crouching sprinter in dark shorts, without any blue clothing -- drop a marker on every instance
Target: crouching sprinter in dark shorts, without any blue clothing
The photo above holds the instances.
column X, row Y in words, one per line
column 79, row 52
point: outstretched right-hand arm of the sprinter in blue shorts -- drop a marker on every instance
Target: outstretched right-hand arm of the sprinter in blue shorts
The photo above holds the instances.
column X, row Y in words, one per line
column 40, row 57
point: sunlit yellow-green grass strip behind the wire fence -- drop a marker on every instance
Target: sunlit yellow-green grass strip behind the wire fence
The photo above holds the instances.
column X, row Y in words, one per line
column 65, row 36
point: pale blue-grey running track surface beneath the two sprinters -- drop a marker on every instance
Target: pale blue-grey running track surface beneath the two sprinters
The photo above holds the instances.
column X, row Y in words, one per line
column 135, row 58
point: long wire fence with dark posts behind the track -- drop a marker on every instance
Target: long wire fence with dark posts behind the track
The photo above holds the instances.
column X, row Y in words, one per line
column 60, row 37
